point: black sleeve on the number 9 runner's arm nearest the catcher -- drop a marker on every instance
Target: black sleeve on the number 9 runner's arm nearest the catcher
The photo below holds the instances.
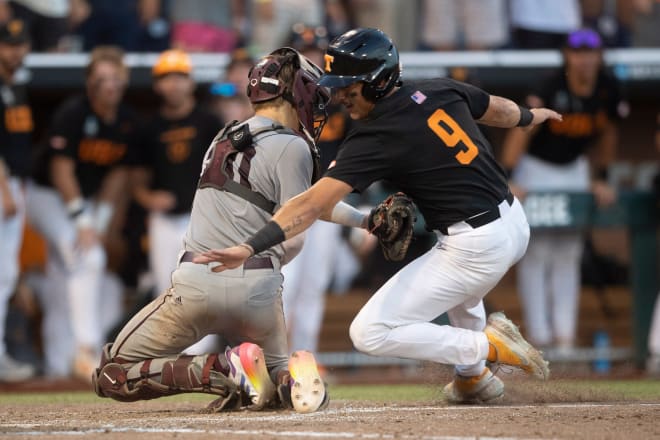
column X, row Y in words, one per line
column 361, row 160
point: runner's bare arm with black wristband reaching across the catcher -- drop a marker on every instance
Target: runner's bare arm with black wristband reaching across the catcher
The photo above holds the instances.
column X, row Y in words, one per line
column 294, row 217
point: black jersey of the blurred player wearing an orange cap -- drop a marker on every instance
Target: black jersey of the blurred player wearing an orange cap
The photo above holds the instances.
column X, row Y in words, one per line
column 173, row 151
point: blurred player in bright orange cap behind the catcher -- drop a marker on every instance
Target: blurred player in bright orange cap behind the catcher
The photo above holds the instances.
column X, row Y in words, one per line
column 172, row 147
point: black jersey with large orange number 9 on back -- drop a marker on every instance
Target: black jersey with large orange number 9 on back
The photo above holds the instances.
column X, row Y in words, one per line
column 424, row 140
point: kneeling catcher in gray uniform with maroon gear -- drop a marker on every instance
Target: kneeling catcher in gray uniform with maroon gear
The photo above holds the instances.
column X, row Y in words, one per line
column 249, row 171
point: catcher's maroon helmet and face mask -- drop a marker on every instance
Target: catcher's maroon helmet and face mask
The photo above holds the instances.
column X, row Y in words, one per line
column 304, row 94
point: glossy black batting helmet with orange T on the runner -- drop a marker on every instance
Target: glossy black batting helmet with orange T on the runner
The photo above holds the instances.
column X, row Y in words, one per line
column 366, row 55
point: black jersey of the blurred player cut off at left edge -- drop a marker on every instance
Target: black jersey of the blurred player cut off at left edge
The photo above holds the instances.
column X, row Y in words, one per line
column 16, row 129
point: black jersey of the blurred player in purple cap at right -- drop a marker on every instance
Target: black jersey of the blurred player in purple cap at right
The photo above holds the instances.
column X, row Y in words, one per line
column 584, row 118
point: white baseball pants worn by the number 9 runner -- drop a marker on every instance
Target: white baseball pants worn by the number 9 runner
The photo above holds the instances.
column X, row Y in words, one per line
column 452, row 277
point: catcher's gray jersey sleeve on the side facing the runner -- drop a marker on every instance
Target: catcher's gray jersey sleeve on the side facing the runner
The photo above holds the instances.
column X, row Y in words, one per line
column 294, row 169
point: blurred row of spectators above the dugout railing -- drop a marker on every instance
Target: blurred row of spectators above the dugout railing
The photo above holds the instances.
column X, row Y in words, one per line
column 263, row 25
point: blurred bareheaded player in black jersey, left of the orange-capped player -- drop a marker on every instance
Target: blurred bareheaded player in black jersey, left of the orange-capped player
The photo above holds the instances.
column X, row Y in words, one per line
column 76, row 205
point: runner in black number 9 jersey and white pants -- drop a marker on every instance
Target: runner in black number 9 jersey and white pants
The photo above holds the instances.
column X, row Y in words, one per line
column 423, row 138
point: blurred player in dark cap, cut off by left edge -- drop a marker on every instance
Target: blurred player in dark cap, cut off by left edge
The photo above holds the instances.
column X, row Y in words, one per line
column 16, row 128
